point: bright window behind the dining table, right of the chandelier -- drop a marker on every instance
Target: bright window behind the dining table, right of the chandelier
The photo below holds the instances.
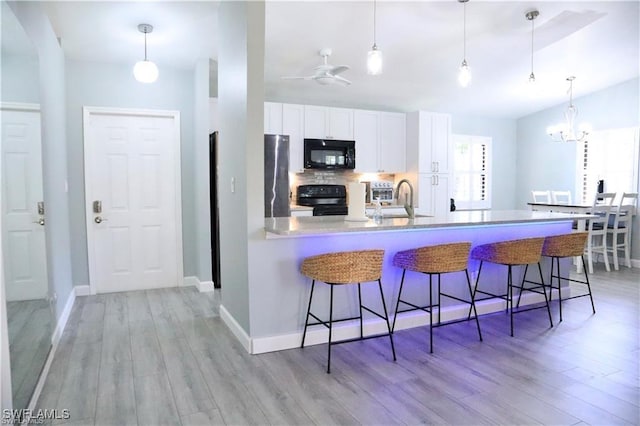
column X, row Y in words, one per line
column 609, row 155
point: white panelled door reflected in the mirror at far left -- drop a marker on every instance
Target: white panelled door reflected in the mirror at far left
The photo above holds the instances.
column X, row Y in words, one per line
column 23, row 226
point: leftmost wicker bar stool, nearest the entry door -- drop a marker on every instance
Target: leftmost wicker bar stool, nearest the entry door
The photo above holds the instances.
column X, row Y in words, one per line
column 354, row 267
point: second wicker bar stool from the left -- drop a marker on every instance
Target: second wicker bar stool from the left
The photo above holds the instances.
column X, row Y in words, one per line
column 435, row 260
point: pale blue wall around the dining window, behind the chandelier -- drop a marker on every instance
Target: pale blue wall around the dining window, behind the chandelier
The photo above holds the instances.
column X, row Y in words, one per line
column 543, row 164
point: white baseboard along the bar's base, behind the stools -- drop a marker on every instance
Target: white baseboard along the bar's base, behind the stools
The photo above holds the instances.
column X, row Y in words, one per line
column 351, row 329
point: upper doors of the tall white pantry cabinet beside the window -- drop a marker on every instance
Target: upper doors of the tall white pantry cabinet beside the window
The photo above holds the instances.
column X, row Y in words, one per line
column 429, row 142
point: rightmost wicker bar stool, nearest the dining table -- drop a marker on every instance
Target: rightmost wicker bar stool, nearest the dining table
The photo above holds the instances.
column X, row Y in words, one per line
column 567, row 245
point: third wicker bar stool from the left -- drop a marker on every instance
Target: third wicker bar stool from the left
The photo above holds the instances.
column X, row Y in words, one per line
column 512, row 253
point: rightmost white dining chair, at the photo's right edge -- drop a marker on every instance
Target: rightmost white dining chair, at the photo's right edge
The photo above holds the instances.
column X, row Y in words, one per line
column 620, row 228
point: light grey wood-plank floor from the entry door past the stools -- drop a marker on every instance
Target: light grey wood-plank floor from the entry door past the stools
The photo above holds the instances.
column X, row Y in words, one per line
column 165, row 357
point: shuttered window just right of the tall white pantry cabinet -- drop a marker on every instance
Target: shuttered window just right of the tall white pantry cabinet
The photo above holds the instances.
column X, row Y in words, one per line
column 472, row 172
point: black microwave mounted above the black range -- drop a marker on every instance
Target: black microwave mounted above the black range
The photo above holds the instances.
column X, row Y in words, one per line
column 329, row 154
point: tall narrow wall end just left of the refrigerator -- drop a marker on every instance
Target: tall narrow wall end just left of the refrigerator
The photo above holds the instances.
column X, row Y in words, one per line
column 240, row 110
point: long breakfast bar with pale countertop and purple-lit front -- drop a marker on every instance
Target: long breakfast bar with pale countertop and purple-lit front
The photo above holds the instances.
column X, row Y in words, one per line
column 280, row 299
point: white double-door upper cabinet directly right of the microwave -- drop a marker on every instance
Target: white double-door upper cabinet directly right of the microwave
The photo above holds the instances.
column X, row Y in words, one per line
column 380, row 141
